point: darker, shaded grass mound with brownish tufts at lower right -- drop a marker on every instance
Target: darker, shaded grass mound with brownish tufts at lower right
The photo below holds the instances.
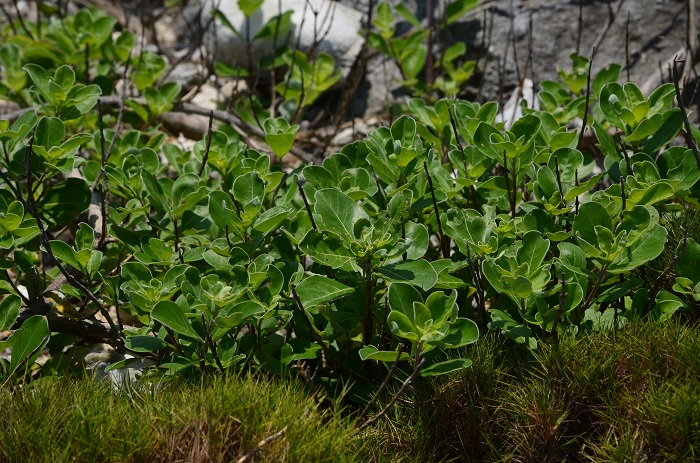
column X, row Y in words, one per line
column 634, row 396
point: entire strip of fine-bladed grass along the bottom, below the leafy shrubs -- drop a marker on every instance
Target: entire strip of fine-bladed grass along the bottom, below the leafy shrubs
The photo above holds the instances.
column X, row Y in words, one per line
column 634, row 396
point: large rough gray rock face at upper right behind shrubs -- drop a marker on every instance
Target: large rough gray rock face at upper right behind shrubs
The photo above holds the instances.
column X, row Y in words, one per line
column 656, row 34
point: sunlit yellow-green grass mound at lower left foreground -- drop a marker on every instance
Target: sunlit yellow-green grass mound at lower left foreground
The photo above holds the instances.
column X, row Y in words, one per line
column 78, row 420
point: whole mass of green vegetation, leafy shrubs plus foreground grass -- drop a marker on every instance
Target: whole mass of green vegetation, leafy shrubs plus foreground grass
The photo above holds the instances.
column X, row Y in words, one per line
column 357, row 276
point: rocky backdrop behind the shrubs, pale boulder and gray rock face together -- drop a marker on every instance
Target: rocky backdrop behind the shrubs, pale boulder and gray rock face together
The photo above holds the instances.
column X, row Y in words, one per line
column 511, row 40
